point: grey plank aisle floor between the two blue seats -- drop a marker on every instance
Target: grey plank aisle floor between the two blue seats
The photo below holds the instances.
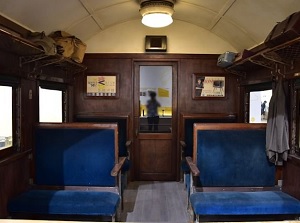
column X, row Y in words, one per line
column 155, row 202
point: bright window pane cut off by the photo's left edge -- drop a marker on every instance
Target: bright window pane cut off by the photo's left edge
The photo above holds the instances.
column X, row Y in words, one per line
column 6, row 116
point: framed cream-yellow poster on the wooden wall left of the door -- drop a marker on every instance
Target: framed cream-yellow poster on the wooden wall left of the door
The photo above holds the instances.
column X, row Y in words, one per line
column 102, row 85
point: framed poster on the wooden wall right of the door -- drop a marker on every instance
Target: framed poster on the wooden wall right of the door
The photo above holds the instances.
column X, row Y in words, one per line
column 208, row 86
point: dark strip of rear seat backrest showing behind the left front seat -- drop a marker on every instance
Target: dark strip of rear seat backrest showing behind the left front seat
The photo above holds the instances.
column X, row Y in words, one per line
column 122, row 129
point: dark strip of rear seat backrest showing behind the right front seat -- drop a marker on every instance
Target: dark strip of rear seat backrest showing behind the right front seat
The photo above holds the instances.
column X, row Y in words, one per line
column 188, row 130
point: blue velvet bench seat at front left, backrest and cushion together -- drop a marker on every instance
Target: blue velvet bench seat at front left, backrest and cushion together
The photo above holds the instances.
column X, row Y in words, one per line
column 78, row 155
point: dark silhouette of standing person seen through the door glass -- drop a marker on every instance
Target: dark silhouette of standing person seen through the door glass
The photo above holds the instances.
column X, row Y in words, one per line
column 153, row 118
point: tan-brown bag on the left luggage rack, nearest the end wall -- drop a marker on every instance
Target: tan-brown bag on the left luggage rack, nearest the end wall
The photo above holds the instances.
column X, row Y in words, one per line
column 73, row 47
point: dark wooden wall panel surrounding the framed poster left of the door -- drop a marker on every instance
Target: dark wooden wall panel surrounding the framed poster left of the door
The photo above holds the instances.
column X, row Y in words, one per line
column 103, row 66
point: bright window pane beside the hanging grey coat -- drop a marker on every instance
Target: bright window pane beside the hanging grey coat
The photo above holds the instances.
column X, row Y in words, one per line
column 259, row 106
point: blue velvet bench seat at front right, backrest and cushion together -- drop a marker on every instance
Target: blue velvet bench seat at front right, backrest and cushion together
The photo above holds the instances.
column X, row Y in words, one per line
column 233, row 157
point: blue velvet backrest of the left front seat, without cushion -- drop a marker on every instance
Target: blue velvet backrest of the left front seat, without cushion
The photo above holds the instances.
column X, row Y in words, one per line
column 75, row 156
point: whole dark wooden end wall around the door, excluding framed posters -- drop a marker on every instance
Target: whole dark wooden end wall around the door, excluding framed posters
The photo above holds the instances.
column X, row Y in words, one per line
column 122, row 64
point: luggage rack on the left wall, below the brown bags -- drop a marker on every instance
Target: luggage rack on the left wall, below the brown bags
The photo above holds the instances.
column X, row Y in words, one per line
column 29, row 52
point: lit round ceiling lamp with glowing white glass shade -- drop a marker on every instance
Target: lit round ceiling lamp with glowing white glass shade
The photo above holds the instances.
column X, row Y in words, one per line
column 157, row 13
